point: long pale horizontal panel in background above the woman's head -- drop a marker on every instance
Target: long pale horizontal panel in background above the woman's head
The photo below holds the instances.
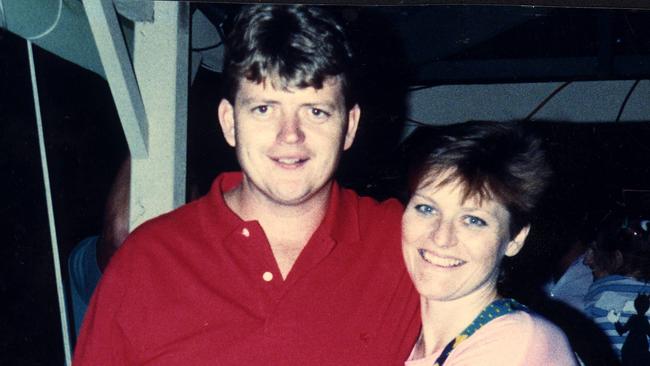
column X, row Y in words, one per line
column 586, row 101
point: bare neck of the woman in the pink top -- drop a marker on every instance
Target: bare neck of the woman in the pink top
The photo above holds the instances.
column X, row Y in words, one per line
column 442, row 321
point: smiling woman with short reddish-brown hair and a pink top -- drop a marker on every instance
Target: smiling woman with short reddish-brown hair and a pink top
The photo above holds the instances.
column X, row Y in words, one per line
column 472, row 196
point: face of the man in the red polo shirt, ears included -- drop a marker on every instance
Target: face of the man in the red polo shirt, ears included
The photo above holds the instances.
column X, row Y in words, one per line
column 288, row 142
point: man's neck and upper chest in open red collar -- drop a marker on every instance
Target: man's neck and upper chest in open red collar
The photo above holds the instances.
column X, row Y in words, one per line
column 287, row 227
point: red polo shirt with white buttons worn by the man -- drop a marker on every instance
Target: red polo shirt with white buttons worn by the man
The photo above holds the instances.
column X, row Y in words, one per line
column 200, row 286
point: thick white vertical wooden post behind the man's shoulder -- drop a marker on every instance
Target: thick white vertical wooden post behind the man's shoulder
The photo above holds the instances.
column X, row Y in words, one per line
column 161, row 64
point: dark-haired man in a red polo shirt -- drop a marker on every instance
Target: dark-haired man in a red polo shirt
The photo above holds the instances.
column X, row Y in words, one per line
column 277, row 265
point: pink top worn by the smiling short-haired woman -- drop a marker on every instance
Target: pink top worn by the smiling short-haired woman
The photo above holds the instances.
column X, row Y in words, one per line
column 514, row 339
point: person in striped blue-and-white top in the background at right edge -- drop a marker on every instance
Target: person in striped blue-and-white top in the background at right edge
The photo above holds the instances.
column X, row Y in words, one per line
column 618, row 300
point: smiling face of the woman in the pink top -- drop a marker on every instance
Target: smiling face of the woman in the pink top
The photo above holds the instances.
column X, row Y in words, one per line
column 453, row 249
